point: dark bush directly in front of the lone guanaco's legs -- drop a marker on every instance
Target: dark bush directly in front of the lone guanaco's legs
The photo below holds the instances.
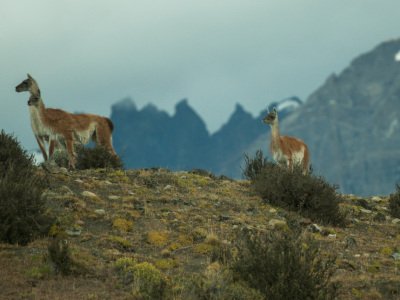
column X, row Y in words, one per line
column 309, row 195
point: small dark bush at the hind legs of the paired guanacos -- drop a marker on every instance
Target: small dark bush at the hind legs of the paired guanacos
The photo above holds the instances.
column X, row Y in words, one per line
column 97, row 157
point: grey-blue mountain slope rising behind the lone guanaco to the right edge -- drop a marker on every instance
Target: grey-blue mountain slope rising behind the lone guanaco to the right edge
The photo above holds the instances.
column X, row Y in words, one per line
column 352, row 124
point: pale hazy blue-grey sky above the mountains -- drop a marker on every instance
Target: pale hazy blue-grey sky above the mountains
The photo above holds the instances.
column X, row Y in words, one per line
column 87, row 55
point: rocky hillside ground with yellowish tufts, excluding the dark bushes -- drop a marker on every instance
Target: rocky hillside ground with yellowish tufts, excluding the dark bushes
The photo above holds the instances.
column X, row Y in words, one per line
column 177, row 222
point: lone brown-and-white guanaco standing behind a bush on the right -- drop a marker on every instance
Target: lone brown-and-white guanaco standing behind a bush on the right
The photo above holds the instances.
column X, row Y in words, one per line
column 286, row 150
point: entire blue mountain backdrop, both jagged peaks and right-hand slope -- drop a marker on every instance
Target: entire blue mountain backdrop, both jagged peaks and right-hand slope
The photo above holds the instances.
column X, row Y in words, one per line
column 351, row 125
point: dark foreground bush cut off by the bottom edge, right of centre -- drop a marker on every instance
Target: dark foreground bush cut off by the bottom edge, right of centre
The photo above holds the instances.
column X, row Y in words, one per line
column 284, row 265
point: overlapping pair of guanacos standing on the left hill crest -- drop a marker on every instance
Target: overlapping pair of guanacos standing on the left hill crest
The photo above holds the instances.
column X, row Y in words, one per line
column 58, row 127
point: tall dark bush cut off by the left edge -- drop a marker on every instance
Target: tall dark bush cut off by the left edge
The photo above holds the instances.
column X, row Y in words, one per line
column 21, row 204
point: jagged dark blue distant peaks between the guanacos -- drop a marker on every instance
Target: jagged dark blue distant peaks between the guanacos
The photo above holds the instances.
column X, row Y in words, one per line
column 152, row 138
